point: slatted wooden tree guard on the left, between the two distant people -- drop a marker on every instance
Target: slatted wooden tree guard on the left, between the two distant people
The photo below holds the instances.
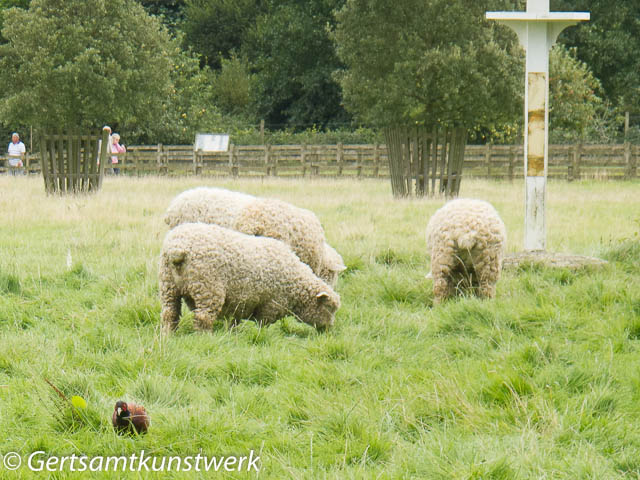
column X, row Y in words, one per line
column 73, row 163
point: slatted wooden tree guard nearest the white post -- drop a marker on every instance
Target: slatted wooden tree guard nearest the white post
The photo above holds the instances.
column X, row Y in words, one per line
column 419, row 156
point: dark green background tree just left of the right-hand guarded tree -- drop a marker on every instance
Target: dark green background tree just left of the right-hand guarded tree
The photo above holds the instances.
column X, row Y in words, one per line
column 293, row 56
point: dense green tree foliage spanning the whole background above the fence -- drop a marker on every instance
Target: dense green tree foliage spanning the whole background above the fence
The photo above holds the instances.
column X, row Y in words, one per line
column 163, row 69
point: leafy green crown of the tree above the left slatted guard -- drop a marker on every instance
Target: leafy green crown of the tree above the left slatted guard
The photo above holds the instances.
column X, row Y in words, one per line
column 65, row 67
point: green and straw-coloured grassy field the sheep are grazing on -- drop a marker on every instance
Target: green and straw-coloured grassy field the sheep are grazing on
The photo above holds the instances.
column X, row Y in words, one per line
column 542, row 382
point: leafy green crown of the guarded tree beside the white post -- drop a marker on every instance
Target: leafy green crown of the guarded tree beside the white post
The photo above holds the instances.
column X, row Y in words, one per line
column 428, row 61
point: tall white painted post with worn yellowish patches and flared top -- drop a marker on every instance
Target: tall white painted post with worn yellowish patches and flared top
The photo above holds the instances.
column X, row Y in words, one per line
column 537, row 30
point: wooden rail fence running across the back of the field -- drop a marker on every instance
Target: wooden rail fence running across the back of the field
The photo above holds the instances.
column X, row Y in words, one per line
column 481, row 161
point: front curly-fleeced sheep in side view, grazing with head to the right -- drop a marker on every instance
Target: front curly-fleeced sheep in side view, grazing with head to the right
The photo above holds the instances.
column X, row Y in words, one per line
column 223, row 273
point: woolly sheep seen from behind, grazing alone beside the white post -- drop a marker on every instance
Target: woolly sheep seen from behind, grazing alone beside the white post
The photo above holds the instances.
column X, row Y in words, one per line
column 466, row 239
